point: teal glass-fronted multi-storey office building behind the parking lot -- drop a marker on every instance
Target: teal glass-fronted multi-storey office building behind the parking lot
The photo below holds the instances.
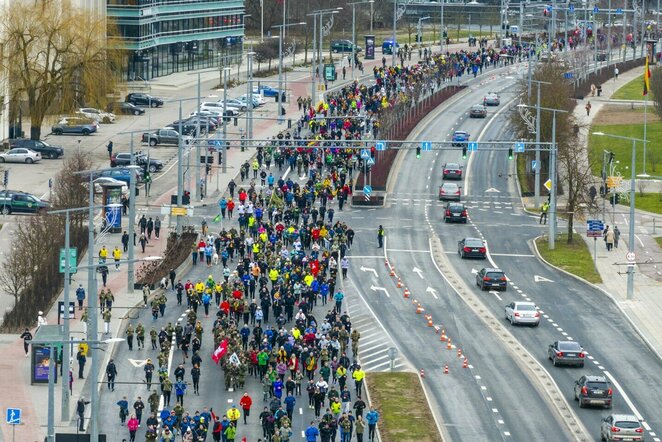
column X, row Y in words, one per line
column 160, row 37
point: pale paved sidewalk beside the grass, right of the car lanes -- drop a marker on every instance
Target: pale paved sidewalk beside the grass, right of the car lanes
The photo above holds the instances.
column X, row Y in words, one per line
column 645, row 310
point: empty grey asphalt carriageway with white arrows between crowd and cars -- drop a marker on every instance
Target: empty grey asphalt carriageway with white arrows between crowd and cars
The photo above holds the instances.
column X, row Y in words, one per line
column 485, row 401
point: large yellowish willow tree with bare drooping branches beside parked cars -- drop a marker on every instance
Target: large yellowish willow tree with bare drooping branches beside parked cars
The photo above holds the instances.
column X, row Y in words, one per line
column 55, row 57
